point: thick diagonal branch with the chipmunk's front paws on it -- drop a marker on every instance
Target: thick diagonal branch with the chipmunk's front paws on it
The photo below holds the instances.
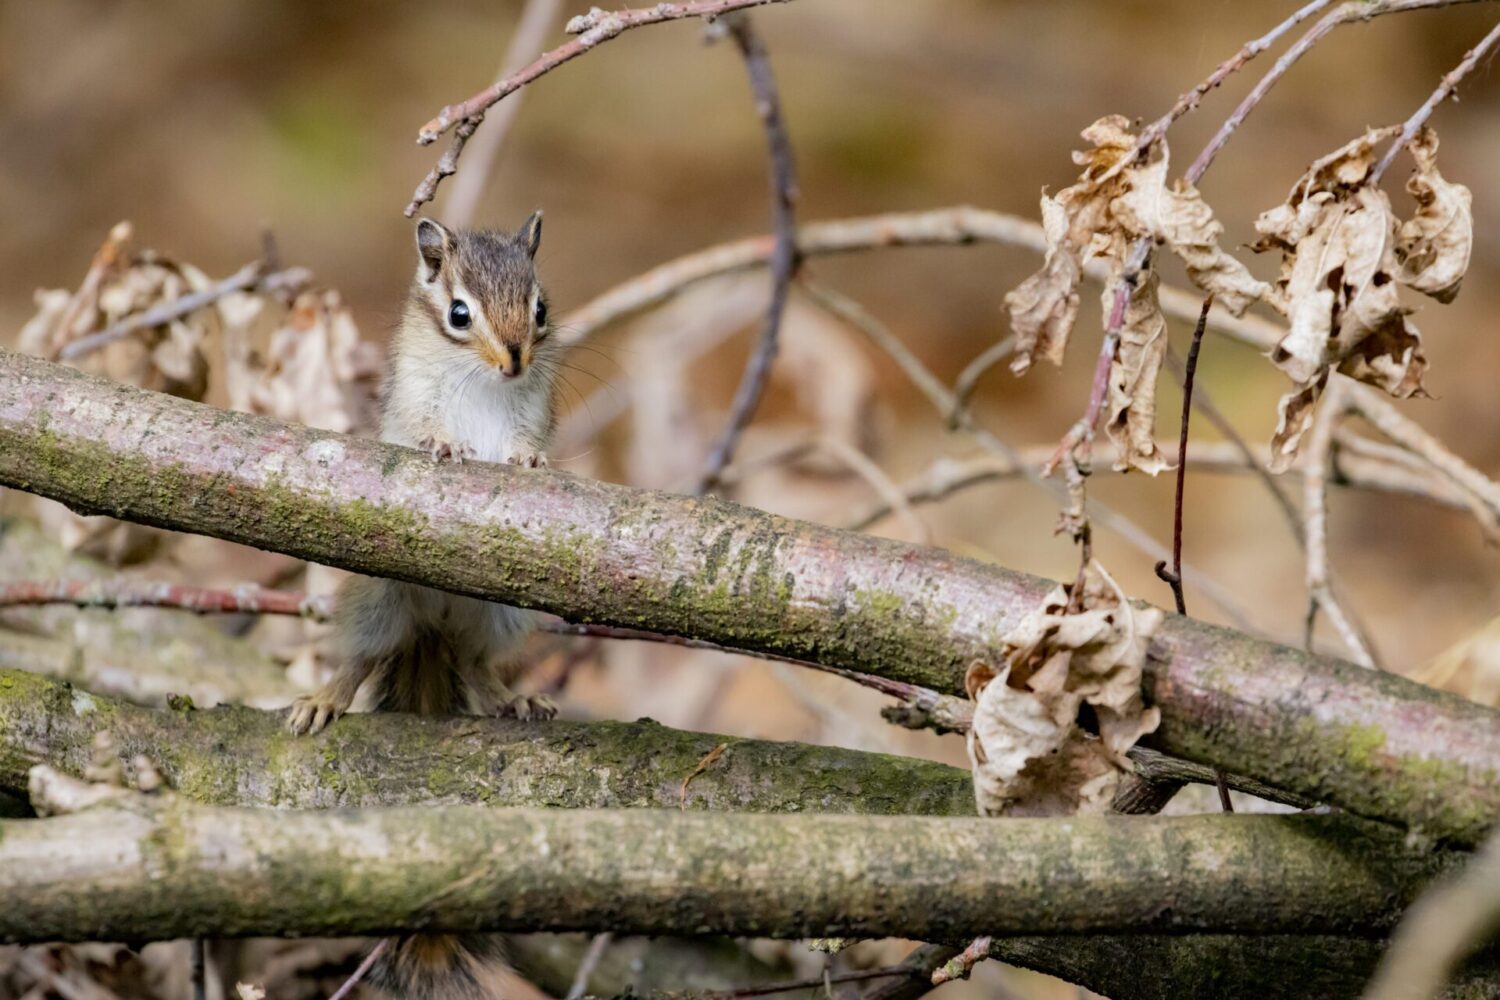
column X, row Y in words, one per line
column 1373, row 744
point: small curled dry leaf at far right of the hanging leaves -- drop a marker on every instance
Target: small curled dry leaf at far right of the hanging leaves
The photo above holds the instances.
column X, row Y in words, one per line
column 1435, row 245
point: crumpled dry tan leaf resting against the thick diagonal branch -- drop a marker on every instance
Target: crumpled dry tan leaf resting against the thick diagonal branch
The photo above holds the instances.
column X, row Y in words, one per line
column 1028, row 755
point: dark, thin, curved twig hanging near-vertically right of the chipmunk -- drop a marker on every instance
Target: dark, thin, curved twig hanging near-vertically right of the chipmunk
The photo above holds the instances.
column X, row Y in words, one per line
column 784, row 259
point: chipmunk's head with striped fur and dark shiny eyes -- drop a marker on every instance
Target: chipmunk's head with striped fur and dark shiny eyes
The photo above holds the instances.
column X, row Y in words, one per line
column 479, row 290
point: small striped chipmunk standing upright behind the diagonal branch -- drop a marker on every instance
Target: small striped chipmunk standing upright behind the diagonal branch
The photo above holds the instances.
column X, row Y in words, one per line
column 470, row 377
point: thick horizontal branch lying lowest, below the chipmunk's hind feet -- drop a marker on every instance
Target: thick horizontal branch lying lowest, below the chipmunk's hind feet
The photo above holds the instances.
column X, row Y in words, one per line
column 163, row 867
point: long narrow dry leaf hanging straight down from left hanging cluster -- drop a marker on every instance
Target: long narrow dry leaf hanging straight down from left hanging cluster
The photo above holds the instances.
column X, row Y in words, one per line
column 1132, row 416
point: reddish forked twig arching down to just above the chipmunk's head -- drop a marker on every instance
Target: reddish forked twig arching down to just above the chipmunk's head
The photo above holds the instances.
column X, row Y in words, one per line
column 592, row 29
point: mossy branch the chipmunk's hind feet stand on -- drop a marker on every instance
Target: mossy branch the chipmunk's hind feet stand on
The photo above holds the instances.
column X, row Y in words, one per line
column 238, row 756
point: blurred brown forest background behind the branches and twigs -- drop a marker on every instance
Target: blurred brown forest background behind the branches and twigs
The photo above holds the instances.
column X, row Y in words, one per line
column 205, row 122
